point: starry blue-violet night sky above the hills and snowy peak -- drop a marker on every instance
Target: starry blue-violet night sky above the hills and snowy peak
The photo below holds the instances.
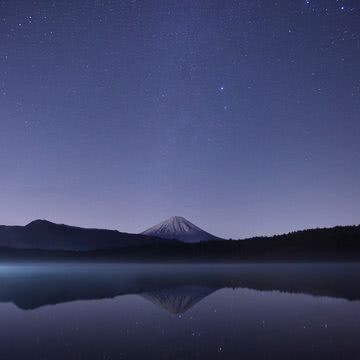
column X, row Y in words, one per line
column 242, row 116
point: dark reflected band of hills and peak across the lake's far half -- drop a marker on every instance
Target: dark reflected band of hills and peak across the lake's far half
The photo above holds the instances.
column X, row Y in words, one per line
column 175, row 288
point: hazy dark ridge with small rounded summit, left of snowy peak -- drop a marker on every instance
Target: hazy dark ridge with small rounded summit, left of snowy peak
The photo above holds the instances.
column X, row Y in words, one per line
column 45, row 235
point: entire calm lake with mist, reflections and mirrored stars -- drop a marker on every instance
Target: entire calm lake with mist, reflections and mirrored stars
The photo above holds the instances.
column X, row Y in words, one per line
column 137, row 311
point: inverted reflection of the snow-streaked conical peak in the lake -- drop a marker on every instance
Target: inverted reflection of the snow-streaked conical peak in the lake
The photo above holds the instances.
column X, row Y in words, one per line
column 178, row 300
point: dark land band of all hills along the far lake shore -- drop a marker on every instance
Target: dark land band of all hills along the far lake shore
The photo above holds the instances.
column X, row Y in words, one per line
column 45, row 240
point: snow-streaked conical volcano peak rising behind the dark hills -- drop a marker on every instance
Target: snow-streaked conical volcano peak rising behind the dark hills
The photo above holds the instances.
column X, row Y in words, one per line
column 179, row 228
